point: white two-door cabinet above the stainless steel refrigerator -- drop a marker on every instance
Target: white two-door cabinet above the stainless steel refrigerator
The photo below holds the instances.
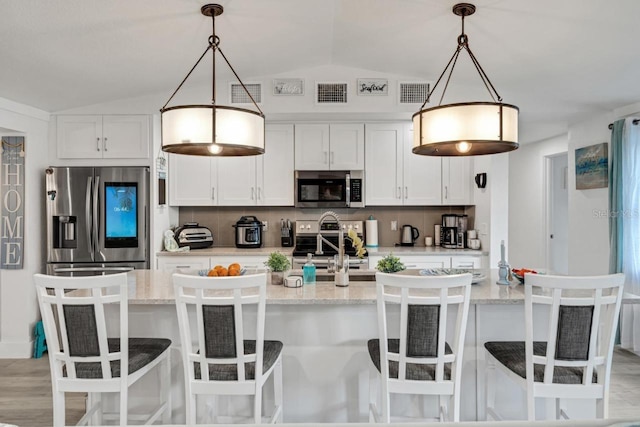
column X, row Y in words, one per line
column 103, row 137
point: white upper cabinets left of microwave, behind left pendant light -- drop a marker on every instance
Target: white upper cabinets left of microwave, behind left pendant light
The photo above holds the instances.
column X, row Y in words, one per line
column 236, row 181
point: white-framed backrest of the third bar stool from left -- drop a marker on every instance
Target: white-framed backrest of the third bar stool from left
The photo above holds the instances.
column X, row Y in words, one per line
column 424, row 303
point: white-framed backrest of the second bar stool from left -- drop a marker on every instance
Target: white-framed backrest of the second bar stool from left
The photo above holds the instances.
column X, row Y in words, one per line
column 222, row 323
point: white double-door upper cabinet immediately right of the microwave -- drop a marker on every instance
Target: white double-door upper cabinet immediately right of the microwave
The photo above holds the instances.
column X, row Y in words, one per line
column 396, row 176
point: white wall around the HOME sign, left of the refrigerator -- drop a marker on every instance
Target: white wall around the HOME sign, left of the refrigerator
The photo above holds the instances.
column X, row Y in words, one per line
column 18, row 305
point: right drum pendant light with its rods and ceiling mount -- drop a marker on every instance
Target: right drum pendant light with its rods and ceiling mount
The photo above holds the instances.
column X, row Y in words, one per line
column 468, row 128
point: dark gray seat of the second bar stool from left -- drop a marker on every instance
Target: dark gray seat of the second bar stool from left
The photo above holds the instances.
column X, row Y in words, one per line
column 228, row 372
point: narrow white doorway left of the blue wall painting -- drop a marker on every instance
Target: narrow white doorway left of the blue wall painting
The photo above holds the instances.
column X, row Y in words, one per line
column 557, row 215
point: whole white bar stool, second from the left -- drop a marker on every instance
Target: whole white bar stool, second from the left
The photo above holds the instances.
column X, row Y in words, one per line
column 218, row 344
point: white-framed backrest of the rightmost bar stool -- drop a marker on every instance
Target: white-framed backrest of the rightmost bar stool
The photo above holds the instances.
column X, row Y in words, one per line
column 582, row 320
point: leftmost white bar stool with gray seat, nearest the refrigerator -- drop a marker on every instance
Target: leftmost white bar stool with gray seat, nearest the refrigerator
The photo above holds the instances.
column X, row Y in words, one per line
column 83, row 359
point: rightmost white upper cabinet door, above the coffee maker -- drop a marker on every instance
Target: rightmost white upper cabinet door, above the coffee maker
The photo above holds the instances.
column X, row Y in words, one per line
column 456, row 181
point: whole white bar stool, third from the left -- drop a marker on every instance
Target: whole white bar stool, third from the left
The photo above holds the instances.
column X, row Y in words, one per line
column 421, row 360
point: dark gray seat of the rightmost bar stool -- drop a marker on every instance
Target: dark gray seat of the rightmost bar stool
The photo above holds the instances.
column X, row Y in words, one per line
column 512, row 355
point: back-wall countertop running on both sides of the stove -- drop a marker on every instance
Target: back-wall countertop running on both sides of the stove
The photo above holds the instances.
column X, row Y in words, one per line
column 372, row 251
